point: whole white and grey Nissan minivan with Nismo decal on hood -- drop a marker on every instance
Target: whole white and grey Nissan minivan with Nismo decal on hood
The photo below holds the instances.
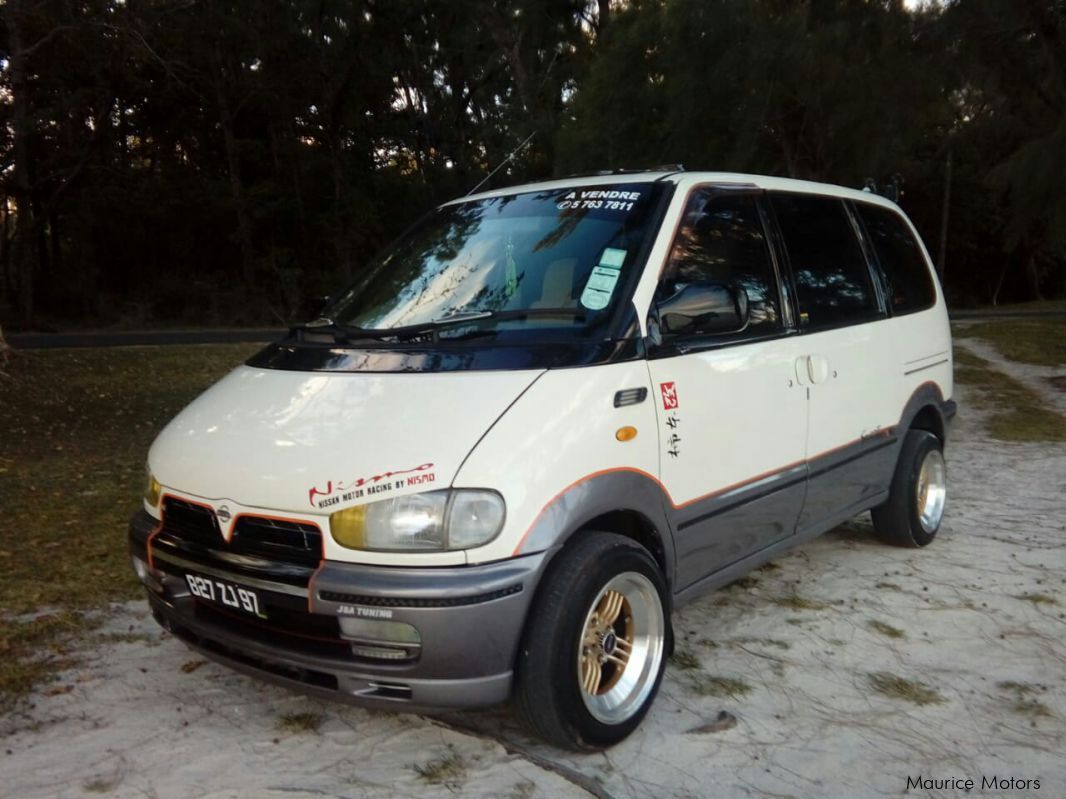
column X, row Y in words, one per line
column 544, row 418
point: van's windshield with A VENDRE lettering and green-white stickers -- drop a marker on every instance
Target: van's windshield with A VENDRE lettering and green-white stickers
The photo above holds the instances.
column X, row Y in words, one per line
column 556, row 258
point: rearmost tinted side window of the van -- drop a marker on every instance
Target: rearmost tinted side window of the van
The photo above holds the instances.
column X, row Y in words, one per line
column 910, row 284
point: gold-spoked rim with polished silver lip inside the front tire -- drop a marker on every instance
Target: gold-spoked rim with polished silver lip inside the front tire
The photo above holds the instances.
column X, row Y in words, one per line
column 621, row 649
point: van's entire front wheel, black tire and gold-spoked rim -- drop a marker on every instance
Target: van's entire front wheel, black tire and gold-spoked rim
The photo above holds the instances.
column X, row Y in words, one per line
column 595, row 648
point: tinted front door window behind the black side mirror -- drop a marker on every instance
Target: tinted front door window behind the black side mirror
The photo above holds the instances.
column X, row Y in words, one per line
column 721, row 240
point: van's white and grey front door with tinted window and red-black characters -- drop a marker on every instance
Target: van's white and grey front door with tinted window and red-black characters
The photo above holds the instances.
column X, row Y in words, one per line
column 733, row 419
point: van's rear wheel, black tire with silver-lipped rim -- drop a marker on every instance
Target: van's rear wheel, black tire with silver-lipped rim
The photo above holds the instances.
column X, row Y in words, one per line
column 914, row 511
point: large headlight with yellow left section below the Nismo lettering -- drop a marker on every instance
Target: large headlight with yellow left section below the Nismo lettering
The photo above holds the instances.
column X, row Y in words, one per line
column 428, row 523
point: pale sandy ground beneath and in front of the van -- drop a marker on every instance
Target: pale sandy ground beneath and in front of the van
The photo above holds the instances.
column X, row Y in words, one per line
column 980, row 619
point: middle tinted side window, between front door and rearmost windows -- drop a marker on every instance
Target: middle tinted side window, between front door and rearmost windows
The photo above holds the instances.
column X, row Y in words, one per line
column 831, row 273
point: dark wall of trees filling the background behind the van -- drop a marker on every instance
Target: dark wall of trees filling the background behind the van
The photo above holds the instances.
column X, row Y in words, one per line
column 230, row 162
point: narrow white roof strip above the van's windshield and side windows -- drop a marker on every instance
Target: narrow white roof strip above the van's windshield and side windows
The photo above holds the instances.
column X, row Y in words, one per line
column 687, row 181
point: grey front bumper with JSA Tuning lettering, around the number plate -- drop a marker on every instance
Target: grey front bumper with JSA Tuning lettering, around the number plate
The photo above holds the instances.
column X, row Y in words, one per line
column 470, row 621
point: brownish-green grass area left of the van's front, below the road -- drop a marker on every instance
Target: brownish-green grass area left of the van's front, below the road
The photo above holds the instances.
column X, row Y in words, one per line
column 74, row 435
